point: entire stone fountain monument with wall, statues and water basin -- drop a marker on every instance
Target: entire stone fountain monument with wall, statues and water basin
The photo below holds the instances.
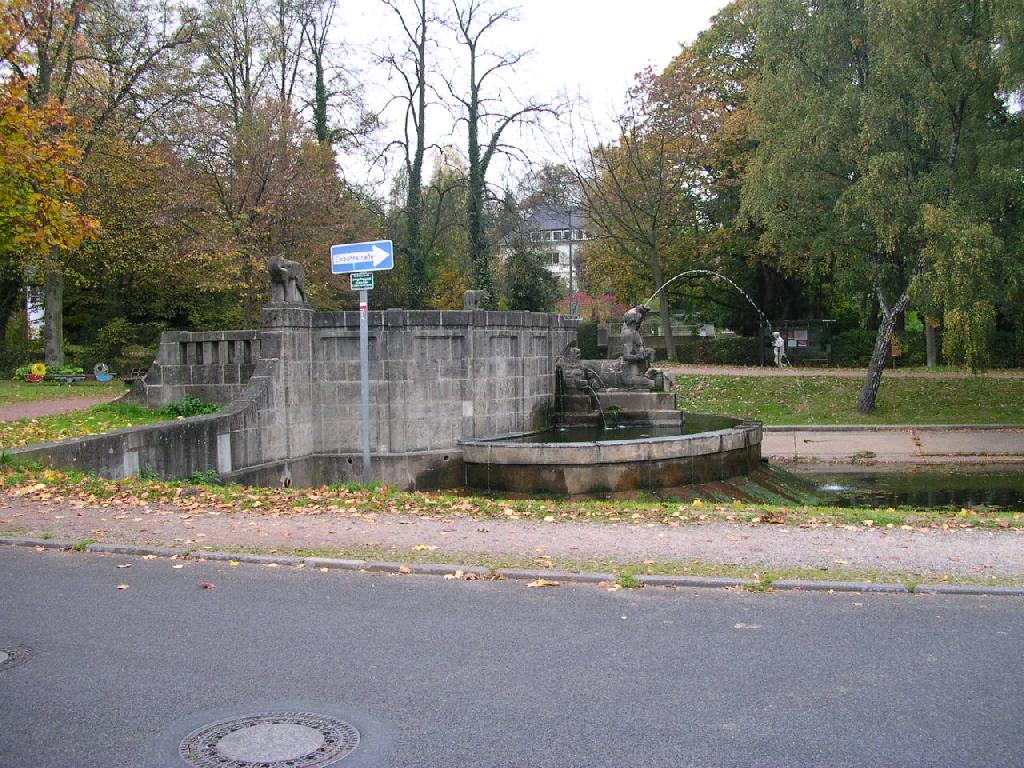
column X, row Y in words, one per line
column 457, row 399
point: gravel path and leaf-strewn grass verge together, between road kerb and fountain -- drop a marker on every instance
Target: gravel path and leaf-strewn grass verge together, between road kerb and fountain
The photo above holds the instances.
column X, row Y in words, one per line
column 624, row 538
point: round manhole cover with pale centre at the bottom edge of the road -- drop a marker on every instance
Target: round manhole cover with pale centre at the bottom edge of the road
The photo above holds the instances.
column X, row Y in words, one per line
column 290, row 740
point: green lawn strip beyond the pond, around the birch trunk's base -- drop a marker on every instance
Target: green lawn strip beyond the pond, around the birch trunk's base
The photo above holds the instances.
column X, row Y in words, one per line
column 831, row 400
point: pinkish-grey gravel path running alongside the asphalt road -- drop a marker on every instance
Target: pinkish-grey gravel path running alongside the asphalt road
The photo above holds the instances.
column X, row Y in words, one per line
column 930, row 553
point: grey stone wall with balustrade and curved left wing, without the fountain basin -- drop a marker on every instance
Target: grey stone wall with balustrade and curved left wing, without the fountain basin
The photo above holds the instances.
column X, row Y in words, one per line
column 435, row 378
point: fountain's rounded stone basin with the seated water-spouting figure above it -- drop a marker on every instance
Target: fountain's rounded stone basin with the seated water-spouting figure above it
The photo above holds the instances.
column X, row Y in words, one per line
column 647, row 444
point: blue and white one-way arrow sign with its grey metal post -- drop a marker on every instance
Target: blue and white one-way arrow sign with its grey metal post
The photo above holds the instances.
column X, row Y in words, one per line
column 361, row 261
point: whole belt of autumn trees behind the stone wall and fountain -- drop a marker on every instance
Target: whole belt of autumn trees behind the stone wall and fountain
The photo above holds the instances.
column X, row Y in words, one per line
column 857, row 160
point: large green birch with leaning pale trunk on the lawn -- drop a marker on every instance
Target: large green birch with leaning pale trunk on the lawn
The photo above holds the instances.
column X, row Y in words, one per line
column 882, row 158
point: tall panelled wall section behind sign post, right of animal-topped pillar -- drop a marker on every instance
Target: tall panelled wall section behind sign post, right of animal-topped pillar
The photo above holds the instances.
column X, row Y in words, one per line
column 436, row 377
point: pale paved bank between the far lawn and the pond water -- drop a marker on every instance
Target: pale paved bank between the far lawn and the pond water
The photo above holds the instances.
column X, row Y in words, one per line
column 898, row 445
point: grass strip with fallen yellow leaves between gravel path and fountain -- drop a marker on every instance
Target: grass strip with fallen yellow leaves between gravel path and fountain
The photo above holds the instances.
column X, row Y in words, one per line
column 136, row 499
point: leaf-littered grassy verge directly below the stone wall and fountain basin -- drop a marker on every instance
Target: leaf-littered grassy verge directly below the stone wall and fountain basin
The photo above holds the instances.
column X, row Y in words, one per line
column 730, row 502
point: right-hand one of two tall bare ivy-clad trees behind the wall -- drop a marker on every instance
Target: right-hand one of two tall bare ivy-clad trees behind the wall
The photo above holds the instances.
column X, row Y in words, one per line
column 487, row 118
